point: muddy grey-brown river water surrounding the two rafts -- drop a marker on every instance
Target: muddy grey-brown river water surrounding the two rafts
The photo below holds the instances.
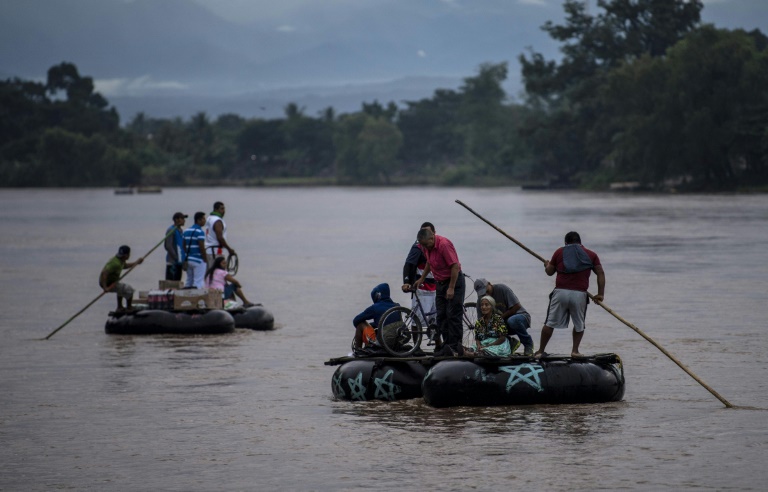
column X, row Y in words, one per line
column 254, row 410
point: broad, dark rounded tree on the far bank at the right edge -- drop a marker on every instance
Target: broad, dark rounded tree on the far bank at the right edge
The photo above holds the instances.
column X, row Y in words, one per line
column 700, row 113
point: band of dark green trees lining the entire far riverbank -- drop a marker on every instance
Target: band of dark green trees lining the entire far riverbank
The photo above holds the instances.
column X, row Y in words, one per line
column 643, row 92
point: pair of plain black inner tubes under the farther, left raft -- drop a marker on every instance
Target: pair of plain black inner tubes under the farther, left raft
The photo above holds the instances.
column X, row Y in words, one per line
column 188, row 322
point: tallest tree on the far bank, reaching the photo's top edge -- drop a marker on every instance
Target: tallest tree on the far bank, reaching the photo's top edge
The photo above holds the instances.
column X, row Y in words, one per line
column 568, row 92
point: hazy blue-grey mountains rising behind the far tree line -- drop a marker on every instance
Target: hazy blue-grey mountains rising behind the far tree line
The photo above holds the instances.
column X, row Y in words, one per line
column 176, row 57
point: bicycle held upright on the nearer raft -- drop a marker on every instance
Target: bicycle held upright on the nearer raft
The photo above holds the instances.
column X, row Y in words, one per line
column 403, row 337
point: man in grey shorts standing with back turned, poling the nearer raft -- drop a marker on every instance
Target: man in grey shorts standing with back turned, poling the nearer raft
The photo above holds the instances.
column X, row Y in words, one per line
column 568, row 302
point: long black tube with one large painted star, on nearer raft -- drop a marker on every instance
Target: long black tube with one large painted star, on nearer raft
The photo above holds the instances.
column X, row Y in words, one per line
column 484, row 382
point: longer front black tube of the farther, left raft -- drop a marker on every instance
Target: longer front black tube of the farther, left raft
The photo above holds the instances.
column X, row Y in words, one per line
column 157, row 321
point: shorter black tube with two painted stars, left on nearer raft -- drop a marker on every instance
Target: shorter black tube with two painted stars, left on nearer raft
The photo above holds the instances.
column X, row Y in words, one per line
column 378, row 379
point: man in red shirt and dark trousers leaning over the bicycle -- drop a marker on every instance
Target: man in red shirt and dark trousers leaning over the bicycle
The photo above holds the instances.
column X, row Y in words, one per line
column 443, row 263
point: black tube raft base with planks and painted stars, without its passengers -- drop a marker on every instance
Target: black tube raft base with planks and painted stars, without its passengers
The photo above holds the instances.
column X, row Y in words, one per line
column 480, row 381
